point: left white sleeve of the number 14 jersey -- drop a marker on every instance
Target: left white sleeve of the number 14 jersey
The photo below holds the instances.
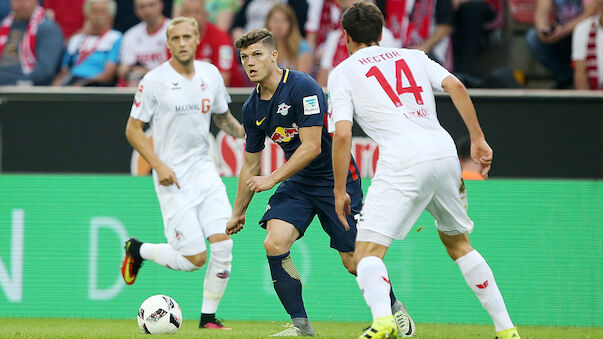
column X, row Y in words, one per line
column 339, row 92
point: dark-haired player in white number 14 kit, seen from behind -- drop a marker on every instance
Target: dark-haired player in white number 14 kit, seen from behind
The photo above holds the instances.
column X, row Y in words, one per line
column 388, row 91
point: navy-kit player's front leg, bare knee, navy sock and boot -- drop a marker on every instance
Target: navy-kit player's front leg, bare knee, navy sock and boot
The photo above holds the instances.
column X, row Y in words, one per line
column 287, row 281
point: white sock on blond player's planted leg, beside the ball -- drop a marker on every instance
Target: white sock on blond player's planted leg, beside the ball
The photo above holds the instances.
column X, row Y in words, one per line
column 217, row 275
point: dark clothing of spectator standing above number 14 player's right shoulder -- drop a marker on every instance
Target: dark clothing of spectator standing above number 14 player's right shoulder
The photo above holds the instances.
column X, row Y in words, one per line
column 468, row 39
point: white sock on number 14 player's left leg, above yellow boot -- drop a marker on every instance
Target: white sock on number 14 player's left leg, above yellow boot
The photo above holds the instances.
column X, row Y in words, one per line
column 373, row 281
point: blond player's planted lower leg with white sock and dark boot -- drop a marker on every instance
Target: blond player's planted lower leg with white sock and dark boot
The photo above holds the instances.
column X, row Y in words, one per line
column 216, row 280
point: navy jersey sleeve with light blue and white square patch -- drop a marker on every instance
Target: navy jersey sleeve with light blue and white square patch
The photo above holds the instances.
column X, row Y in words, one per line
column 308, row 102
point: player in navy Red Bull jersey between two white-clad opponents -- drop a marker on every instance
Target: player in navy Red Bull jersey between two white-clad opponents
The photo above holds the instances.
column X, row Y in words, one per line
column 290, row 108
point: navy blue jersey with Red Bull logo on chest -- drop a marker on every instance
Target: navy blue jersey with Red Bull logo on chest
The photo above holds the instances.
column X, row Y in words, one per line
column 297, row 102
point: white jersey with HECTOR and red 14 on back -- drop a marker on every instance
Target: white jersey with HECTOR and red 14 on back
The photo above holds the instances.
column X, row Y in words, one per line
column 388, row 92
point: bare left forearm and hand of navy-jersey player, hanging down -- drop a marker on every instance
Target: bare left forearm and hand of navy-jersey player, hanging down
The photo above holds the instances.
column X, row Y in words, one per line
column 252, row 166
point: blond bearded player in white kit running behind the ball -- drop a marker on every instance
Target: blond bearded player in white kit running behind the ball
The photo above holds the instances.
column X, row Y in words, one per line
column 178, row 99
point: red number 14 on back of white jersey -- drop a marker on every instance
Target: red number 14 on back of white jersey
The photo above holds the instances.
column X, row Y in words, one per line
column 401, row 66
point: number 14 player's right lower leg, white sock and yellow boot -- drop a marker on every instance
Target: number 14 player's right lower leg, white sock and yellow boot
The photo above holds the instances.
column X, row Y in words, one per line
column 480, row 279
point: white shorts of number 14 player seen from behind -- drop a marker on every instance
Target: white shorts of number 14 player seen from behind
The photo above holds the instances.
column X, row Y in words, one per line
column 396, row 199
